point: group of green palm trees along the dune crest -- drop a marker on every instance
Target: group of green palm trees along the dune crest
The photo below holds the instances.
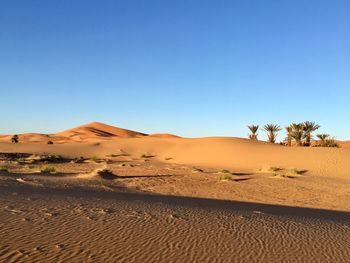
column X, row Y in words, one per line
column 299, row 134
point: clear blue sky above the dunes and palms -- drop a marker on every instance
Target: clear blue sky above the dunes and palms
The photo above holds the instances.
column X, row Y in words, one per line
column 193, row 68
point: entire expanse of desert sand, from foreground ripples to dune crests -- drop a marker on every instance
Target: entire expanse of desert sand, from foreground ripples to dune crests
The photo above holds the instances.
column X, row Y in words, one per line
column 112, row 194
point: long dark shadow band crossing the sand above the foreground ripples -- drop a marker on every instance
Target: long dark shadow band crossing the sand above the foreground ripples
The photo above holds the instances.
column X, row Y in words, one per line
column 188, row 202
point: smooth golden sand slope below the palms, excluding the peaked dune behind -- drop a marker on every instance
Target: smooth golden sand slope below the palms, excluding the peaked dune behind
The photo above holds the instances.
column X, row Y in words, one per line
column 221, row 153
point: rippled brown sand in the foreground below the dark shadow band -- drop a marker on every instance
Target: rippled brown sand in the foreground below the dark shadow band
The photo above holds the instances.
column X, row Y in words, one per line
column 35, row 229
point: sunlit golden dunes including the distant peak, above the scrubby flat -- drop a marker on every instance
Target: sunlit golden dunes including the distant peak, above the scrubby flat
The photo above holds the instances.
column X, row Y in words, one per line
column 97, row 139
